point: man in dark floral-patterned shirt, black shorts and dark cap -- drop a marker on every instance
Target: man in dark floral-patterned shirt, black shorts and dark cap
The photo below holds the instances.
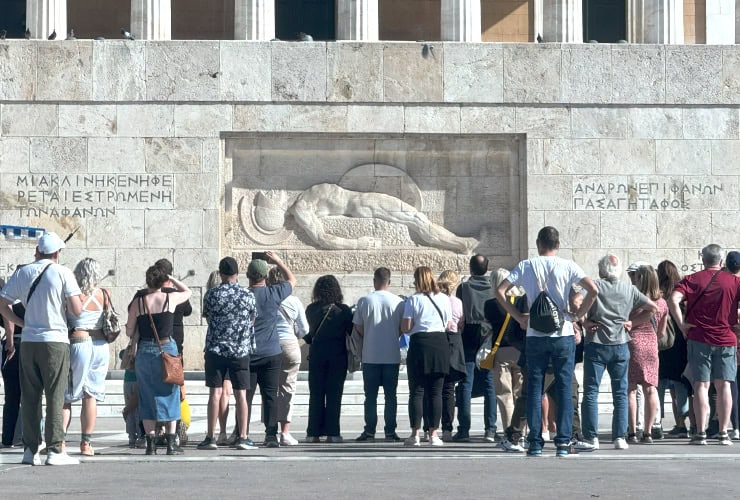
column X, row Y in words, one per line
column 231, row 312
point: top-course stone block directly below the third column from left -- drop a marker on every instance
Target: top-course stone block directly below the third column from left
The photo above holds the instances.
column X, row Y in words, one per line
column 246, row 71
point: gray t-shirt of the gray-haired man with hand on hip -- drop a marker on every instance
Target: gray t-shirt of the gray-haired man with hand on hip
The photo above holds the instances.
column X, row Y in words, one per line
column 616, row 300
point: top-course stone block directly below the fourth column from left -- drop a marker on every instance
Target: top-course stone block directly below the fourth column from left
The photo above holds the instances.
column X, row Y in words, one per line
column 354, row 72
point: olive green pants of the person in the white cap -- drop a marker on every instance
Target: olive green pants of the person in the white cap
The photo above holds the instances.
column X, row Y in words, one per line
column 44, row 370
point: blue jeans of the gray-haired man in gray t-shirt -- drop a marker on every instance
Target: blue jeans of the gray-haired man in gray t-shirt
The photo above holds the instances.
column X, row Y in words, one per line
column 615, row 360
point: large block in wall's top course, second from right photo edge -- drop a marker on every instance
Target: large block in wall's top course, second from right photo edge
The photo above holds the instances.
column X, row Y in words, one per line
column 693, row 74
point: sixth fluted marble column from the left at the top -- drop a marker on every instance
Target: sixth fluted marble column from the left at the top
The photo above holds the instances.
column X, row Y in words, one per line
column 559, row 20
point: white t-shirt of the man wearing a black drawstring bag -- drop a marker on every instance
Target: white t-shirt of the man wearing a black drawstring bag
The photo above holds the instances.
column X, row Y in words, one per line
column 553, row 274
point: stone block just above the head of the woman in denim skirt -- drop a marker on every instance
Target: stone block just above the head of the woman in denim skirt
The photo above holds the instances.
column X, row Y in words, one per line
column 167, row 229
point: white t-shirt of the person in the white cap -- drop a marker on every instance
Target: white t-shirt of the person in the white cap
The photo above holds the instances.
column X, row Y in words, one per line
column 45, row 319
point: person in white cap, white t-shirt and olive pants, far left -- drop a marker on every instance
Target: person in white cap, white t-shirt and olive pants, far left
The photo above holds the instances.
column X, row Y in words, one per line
column 48, row 291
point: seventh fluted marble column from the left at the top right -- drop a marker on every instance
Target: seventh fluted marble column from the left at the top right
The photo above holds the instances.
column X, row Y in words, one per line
column 655, row 21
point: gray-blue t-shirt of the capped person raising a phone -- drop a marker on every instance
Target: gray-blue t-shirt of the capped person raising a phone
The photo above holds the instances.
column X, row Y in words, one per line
column 266, row 335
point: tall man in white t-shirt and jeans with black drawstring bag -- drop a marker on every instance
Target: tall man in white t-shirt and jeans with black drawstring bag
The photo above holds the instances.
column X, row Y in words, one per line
column 556, row 276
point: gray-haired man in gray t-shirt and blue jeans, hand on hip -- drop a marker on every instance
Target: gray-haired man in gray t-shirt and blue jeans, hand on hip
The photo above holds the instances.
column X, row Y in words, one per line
column 606, row 339
